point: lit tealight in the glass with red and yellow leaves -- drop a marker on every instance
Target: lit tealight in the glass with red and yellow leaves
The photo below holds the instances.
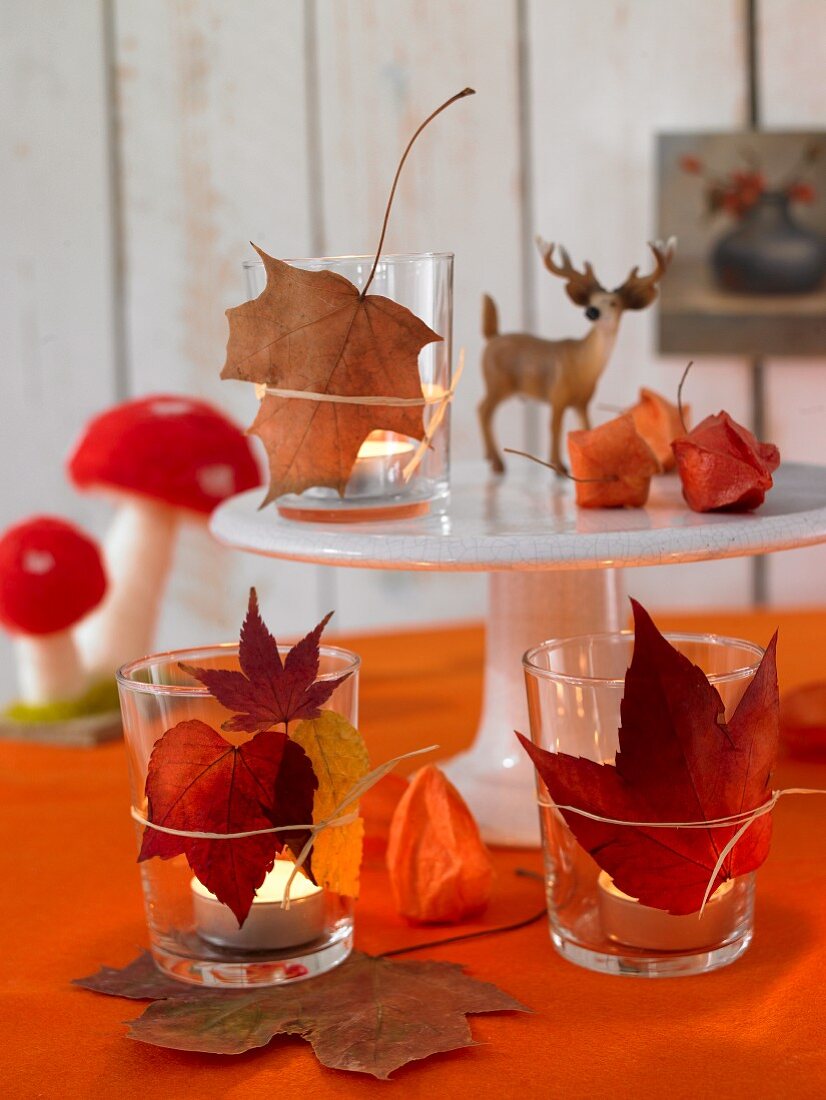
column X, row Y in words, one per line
column 268, row 927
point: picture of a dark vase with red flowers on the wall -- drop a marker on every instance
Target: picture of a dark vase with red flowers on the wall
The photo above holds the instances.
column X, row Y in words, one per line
column 750, row 213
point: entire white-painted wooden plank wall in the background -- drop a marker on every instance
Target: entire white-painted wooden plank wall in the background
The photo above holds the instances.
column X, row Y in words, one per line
column 145, row 142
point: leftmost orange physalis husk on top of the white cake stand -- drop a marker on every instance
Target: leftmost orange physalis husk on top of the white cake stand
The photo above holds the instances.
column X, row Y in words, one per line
column 613, row 465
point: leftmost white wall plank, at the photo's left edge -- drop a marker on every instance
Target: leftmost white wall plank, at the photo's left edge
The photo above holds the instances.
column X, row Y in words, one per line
column 57, row 306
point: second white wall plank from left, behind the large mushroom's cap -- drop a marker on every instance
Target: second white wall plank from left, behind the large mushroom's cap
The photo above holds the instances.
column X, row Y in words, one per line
column 214, row 137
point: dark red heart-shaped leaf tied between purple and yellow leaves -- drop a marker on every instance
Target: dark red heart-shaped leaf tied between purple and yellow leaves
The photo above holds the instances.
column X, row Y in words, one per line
column 199, row 783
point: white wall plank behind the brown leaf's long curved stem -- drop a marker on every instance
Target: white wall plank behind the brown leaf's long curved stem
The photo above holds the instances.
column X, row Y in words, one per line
column 383, row 69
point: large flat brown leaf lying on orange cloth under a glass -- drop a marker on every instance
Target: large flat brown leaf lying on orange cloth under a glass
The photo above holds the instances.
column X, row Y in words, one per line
column 369, row 1016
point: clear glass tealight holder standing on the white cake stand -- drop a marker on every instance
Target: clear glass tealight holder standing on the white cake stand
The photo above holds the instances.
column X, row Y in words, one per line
column 379, row 487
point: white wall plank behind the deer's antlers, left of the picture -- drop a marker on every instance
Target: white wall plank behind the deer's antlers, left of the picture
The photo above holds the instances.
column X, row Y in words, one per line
column 605, row 79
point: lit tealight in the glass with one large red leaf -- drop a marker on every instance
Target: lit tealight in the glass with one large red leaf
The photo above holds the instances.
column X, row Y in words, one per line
column 625, row 921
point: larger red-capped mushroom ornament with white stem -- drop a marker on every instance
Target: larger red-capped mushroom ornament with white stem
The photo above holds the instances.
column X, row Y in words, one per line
column 163, row 458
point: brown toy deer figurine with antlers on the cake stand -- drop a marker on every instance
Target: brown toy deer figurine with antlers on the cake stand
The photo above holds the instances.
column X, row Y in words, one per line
column 565, row 373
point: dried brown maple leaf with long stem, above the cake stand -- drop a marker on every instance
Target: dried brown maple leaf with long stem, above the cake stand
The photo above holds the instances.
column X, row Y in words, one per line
column 316, row 333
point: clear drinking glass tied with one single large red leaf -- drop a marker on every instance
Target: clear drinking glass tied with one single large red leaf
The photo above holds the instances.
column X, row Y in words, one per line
column 575, row 690
